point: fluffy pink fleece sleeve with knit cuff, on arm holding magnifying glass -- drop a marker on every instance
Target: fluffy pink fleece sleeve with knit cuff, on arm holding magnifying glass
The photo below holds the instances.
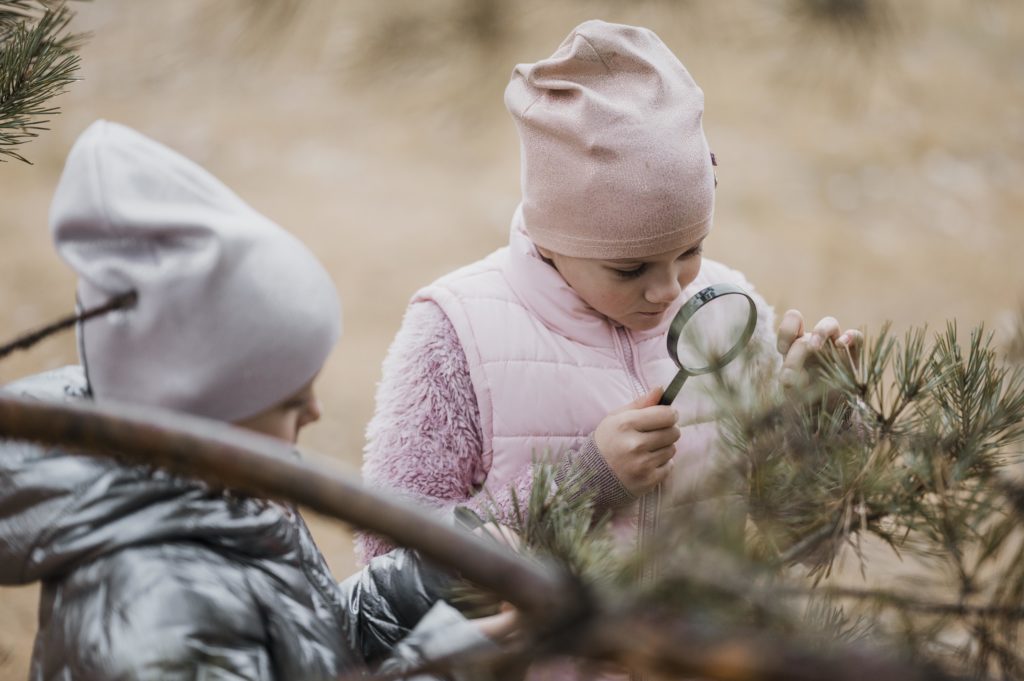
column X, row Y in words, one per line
column 425, row 442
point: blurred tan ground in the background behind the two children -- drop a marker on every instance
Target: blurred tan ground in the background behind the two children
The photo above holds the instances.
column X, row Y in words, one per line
column 871, row 159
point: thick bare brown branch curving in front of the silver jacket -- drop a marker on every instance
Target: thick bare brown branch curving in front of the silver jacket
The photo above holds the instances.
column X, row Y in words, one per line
column 228, row 457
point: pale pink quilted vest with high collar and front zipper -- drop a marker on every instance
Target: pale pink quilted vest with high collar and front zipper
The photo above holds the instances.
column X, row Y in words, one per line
column 547, row 368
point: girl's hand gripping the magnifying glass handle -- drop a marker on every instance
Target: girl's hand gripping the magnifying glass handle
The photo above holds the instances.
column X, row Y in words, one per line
column 639, row 443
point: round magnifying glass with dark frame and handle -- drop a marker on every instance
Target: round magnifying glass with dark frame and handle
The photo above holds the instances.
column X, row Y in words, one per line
column 705, row 337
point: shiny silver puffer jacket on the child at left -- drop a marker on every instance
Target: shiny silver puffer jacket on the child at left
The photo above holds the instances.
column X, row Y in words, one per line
column 147, row 576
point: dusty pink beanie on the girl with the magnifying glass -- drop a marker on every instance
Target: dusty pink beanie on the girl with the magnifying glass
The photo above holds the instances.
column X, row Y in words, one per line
column 615, row 160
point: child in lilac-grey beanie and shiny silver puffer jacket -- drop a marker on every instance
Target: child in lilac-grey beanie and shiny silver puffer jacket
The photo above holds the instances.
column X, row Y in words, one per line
column 147, row 576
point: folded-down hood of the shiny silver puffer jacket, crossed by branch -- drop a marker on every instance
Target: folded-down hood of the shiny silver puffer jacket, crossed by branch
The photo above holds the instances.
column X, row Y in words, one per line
column 59, row 509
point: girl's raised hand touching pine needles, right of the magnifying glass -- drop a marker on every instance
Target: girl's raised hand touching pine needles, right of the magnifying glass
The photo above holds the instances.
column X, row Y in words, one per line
column 800, row 350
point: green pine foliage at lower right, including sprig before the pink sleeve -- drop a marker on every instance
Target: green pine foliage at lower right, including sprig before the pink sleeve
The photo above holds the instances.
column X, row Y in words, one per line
column 914, row 447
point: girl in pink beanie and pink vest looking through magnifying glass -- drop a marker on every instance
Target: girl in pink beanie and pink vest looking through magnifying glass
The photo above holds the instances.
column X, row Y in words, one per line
column 558, row 343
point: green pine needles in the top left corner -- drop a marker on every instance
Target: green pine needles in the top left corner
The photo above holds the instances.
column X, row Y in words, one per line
column 38, row 62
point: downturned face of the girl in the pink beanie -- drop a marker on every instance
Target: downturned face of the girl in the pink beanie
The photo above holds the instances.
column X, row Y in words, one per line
column 635, row 293
